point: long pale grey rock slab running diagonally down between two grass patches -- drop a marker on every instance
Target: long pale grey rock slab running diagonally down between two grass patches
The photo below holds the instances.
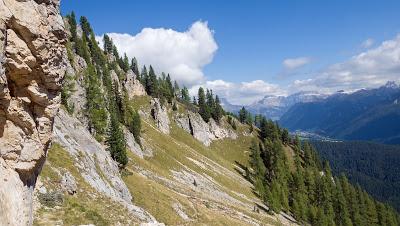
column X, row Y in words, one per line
column 94, row 163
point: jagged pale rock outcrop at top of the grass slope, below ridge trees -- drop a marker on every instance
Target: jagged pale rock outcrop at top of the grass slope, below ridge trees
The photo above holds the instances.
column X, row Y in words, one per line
column 202, row 131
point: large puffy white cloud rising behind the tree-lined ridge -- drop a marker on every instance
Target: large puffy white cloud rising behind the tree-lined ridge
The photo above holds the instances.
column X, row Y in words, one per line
column 182, row 54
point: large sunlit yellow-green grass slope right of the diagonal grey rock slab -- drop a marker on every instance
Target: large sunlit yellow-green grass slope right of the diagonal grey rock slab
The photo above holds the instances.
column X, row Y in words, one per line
column 173, row 152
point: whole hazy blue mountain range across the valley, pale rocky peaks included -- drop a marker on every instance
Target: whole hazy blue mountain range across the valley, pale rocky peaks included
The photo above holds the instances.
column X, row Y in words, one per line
column 366, row 114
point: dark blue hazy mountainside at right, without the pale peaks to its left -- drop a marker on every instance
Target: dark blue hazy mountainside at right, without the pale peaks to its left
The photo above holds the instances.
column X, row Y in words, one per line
column 372, row 114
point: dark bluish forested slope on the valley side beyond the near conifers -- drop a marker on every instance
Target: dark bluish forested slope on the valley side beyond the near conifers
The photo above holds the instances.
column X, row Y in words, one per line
column 373, row 166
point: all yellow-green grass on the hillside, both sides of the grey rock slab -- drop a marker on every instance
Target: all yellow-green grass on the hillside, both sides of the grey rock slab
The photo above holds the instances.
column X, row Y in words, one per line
column 176, row 151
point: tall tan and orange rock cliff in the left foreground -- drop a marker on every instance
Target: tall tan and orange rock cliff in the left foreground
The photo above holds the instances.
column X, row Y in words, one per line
column 33, row 61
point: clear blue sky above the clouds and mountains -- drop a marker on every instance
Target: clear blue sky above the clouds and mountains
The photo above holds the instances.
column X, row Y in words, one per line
column 255, row 37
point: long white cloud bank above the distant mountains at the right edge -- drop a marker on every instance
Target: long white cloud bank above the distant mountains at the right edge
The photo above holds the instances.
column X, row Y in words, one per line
column 371, row 68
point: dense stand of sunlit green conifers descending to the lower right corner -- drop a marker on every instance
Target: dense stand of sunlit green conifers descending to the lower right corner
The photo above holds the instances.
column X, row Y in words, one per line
column 289, row 176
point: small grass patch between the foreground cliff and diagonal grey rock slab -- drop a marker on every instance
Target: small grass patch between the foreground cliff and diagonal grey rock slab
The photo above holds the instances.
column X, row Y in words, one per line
column 86, row 207
